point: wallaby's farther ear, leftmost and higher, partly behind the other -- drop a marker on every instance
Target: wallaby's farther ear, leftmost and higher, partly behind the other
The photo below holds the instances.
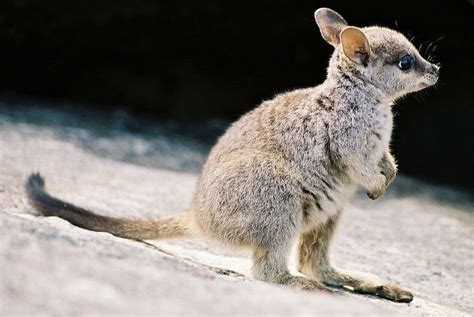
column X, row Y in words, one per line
column 330, row 24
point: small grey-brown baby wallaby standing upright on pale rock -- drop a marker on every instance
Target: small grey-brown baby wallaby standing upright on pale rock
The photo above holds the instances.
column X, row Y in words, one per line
column 284, row 171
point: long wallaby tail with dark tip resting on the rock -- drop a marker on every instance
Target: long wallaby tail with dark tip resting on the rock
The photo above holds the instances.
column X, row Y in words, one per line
column 133, row 229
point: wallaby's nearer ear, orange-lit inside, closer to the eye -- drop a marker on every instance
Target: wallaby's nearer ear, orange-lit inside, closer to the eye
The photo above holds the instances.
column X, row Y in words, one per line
column 355, row 45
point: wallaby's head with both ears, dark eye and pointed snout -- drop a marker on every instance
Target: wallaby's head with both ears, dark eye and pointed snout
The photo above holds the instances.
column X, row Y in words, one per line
column 380, row 56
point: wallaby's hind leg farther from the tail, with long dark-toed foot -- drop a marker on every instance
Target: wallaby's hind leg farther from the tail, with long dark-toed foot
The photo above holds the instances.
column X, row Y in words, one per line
column 313, row 261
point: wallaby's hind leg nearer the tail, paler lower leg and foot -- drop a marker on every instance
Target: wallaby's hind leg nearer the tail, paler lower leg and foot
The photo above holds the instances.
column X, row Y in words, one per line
column 270, row 265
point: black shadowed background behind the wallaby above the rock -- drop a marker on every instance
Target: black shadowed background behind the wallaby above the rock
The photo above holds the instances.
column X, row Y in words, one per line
column 193, row 60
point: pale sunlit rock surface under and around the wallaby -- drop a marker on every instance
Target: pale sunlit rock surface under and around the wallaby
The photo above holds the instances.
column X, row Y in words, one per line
column 417, row 236
